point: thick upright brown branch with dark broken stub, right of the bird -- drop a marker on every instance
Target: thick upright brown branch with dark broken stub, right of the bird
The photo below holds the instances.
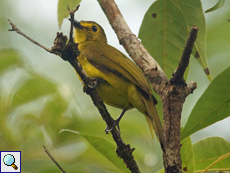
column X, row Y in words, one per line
column 172, row 107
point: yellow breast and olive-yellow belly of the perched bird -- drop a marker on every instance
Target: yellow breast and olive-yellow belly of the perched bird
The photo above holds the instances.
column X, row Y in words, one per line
column 114, row 90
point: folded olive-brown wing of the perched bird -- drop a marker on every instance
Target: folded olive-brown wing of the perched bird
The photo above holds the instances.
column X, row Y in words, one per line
column 107, row 58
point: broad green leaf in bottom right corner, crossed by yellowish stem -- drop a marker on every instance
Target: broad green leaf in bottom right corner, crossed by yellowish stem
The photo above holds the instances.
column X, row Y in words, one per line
column 208, row 150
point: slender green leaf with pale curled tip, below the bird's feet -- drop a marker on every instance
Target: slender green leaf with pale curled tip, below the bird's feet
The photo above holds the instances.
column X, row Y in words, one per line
column 106, row 148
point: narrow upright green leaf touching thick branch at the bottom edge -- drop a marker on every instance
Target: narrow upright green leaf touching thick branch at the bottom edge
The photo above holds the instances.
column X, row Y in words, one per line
column 187, row 156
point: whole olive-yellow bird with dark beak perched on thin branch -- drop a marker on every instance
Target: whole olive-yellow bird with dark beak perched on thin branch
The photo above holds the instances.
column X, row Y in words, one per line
column 119, row 82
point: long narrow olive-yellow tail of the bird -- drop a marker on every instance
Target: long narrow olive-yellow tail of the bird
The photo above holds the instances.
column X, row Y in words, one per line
column 153, row 120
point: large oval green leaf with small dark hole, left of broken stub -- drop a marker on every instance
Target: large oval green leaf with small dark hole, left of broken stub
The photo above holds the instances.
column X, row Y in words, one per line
column 164, row 33
